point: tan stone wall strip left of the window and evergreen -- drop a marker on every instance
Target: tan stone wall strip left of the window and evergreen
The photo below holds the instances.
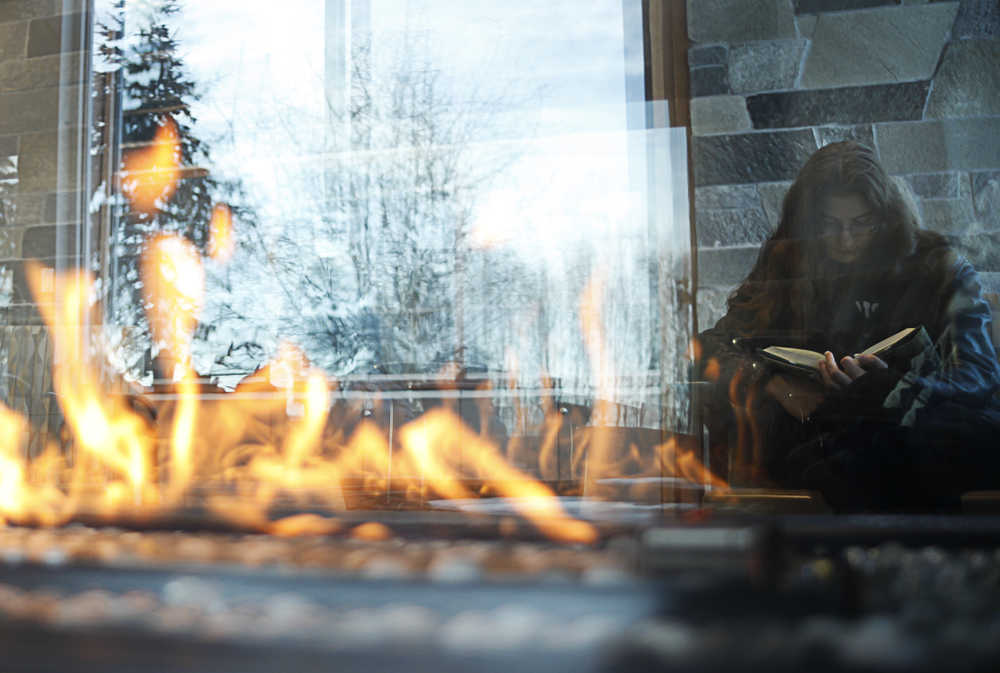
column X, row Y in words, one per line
column 40, row 136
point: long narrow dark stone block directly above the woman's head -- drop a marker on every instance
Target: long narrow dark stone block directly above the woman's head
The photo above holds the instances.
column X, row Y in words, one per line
column 848, row 105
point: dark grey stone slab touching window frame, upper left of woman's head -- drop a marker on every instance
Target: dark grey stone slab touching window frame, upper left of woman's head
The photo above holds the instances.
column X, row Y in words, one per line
column 750, row 157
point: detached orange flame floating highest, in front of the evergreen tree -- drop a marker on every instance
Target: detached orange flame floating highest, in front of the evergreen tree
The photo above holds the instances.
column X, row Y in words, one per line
column 150, row 174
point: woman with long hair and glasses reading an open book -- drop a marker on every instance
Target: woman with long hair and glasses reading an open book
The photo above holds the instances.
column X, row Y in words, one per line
column 846, row 267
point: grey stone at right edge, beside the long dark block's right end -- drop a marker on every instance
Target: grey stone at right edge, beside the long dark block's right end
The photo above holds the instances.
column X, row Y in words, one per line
column 968, row 82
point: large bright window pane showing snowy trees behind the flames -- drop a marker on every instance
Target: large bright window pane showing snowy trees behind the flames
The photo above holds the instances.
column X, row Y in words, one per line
column 416, row 186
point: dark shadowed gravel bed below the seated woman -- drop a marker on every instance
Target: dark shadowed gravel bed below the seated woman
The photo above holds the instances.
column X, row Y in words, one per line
column 923, row 609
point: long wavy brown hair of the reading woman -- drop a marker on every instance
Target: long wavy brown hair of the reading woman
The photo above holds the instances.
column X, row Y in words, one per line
column 792, row 267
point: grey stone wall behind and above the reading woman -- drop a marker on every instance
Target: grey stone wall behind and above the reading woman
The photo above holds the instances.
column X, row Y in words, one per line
column 773, row 80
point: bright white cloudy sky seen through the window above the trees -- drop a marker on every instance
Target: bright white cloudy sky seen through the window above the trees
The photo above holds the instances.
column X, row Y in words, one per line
column 574, row 181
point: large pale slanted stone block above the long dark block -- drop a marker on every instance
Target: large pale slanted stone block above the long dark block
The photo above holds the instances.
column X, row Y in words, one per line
column 877, row 46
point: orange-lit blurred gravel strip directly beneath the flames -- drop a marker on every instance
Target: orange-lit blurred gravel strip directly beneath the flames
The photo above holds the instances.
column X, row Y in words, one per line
column 367, row 550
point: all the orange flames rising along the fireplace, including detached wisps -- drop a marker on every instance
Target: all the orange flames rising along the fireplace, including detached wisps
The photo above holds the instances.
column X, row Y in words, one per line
column 275, row 443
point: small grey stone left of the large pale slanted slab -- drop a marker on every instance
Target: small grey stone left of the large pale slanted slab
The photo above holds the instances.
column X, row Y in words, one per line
column 765, row 66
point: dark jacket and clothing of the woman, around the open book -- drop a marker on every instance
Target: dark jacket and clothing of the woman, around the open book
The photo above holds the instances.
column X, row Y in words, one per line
column 887, row 424
